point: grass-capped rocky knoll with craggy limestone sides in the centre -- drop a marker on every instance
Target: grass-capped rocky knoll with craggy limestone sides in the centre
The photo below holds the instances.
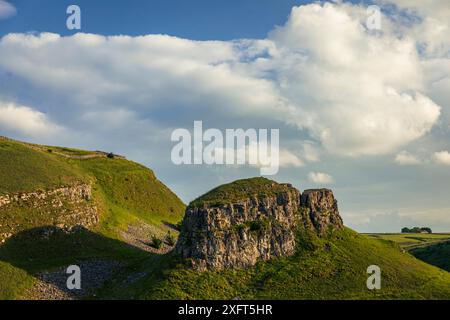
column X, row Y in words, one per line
column 237, row 224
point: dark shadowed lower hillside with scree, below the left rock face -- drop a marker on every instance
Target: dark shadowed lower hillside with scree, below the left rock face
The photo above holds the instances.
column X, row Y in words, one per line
column 46, row 252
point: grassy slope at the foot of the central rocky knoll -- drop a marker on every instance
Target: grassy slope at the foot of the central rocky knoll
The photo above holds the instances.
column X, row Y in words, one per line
column 321, row 269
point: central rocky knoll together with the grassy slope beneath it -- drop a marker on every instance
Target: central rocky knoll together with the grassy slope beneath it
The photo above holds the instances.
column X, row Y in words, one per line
column 330, row 265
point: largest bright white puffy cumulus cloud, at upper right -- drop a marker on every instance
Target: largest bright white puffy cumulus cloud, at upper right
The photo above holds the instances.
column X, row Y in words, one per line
column 347, row 85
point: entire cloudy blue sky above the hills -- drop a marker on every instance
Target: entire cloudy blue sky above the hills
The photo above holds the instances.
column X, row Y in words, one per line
column 359, row 111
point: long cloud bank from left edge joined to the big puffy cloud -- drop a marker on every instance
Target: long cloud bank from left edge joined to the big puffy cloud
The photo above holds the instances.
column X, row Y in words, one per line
column 346, row 88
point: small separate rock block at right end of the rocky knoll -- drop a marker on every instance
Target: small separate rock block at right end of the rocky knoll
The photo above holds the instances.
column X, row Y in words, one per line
column 323, row 210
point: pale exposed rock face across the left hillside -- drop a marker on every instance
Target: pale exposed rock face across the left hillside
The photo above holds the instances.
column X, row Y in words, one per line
column 64, row 207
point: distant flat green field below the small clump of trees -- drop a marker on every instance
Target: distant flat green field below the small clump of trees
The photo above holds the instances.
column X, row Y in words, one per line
column 409, row 241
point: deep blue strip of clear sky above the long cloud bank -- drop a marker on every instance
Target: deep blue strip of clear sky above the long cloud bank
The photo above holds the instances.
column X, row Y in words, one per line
column 197, row 19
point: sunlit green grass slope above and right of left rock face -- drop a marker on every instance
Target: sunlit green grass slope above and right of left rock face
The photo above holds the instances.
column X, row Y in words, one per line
column 124, row 190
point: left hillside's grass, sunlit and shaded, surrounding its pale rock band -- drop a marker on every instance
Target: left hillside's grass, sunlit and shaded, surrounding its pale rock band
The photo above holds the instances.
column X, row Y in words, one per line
column 125, row 193
